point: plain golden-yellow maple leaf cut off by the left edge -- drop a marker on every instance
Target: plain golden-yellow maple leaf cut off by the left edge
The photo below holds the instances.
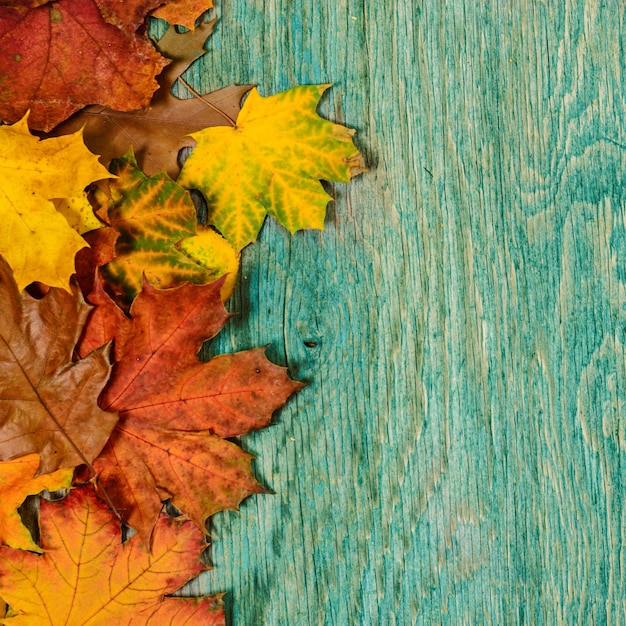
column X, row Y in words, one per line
column 35, row 238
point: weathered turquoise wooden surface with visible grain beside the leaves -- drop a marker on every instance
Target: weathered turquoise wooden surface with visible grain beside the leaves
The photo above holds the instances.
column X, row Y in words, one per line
column 459, row 455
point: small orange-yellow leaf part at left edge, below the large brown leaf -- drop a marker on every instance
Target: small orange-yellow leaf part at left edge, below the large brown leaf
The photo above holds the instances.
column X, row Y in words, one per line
column 18, row 479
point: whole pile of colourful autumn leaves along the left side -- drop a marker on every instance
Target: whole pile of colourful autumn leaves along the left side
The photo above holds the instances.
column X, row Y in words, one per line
column 109, row 285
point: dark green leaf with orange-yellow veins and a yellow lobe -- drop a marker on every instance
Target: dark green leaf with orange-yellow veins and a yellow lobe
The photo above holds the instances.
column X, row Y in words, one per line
column 156, row 219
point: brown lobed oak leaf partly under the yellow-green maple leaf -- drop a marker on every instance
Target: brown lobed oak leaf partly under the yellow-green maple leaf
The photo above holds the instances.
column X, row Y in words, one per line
column 158, row 133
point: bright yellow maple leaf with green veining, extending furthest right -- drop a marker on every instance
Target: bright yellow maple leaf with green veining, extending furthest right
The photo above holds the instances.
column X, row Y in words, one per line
column 271, row 162
